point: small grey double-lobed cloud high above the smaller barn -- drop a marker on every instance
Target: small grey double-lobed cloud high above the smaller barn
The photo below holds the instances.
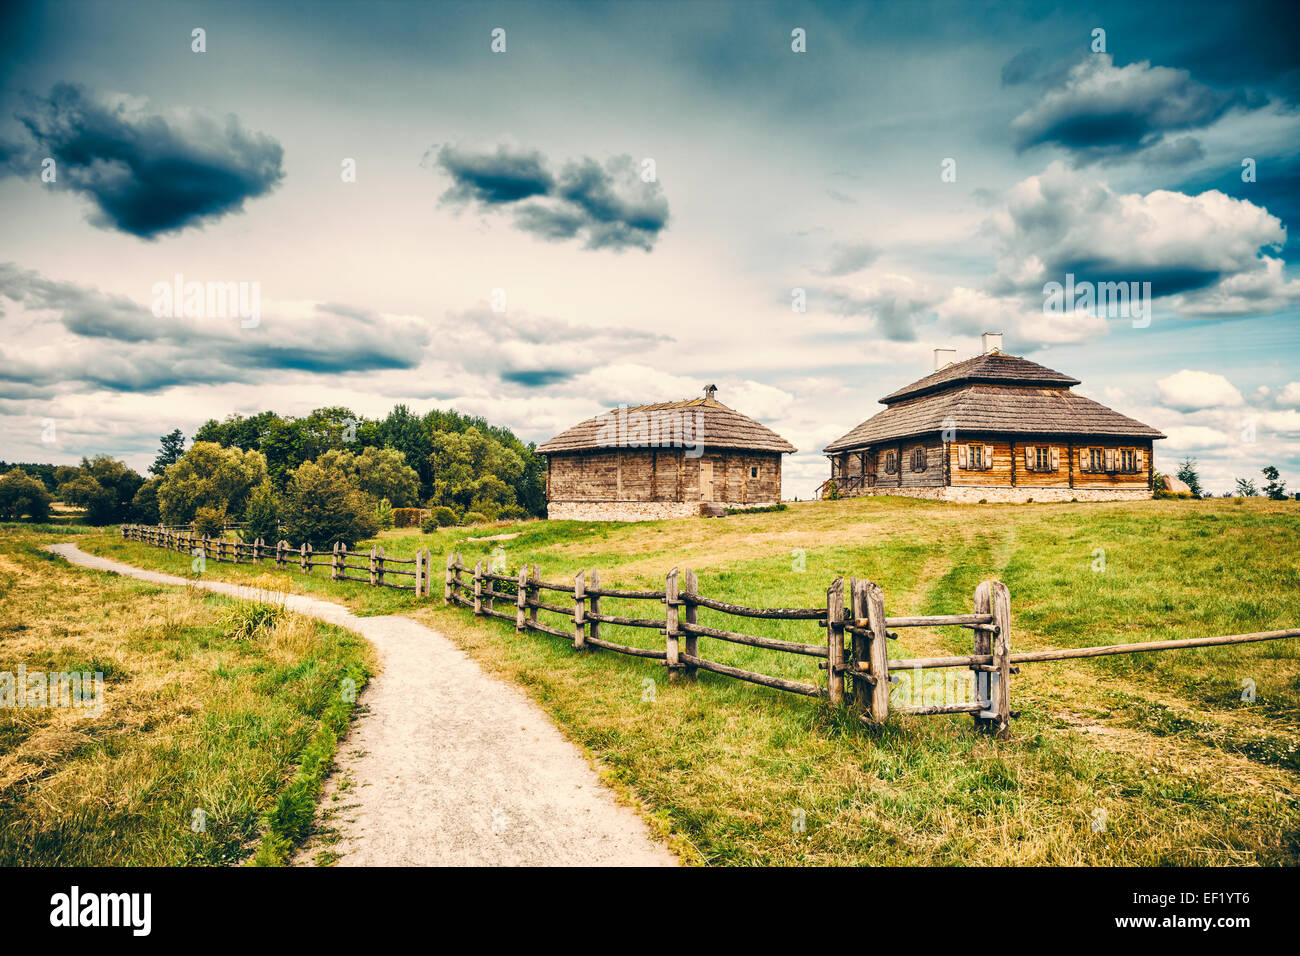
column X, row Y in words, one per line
column 608, row 205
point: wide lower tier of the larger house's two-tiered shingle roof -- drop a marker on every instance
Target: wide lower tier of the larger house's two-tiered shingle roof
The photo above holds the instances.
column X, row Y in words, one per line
column 982, row 408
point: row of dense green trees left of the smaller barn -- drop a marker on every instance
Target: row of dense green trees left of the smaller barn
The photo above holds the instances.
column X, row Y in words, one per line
column 331, row 475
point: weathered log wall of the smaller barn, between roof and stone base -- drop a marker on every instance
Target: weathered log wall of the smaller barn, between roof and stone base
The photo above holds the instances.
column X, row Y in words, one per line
column 662, row 475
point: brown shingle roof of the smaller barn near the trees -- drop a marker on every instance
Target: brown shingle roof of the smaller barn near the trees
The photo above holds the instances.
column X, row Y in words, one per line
column 721, row 427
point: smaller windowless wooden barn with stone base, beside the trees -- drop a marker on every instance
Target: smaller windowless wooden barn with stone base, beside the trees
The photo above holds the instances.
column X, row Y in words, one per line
column 664, row 461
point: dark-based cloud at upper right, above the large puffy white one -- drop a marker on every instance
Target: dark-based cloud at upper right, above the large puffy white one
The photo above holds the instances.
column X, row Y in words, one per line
column 1103, row 110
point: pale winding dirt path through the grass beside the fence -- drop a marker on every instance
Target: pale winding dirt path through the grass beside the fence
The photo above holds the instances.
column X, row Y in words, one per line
column 449, row 767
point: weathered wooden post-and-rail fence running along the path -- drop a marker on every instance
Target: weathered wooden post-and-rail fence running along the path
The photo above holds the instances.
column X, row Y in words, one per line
column 855, row 652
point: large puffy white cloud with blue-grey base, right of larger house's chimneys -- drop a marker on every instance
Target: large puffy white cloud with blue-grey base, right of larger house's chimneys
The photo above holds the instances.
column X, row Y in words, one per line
column 1064, row 222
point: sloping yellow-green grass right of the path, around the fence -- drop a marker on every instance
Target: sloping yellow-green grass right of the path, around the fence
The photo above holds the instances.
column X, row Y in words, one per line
column 1139, row 760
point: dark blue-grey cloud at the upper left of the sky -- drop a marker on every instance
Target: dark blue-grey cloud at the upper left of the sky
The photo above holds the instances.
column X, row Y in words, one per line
column 148, row 174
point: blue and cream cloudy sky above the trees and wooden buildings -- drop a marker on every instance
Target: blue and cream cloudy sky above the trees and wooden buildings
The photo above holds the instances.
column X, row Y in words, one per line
column 536, row 211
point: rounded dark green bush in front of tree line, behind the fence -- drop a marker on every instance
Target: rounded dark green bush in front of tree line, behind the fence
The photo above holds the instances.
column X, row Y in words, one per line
column 322, row 507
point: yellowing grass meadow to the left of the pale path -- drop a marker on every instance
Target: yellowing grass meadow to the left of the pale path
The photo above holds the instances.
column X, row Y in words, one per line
column 211, row 745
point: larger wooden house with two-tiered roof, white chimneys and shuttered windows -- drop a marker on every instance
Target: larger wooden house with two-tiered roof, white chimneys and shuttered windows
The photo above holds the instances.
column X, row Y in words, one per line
column 995, row 427
